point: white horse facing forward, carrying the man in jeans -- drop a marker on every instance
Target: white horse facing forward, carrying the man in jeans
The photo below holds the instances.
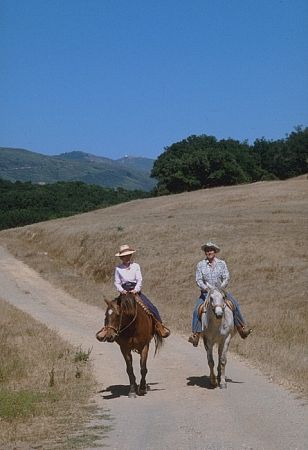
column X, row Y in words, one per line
column 218, row 328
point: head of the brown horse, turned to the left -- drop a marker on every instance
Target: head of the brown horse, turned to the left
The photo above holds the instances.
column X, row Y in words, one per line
column 117, row 317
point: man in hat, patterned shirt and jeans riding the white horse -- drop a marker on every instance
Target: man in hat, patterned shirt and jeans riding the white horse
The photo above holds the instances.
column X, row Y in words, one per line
column 213, row 272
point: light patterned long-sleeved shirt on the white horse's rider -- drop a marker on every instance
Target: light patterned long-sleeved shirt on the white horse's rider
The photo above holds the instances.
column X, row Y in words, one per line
column 215, row 273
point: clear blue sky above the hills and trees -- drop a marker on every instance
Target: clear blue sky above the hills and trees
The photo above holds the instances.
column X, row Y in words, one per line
column 116, row 77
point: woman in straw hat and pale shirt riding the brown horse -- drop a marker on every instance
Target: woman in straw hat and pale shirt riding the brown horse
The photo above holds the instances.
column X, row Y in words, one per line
column 128, row 278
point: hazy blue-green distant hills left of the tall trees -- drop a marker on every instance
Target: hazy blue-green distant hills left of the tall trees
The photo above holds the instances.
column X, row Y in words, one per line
column 128, row 172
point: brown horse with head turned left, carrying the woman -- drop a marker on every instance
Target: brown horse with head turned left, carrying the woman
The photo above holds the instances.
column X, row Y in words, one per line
column 128, row 324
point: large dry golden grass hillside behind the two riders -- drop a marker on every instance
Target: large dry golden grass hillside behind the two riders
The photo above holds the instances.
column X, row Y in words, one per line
column 261, row 228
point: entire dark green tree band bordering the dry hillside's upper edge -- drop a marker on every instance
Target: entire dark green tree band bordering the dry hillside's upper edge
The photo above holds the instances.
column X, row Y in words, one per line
column 194, row 163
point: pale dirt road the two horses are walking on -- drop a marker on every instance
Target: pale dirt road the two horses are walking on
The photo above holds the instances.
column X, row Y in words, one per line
column 180, row 411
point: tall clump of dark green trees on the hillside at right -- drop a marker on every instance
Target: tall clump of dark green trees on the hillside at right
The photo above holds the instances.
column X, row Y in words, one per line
column 203, row 161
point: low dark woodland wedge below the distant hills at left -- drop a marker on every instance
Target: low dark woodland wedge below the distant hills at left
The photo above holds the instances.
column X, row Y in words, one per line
column 23, row 203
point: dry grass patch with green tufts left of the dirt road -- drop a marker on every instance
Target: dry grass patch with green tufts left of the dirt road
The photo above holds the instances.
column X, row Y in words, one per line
column 45, row 387
